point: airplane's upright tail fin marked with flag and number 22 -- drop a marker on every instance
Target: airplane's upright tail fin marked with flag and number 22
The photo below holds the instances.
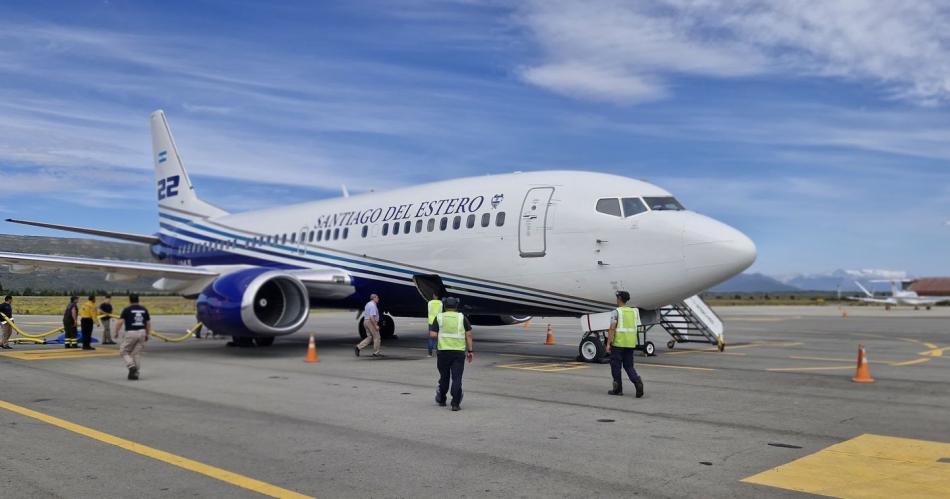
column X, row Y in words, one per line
column 174, row 188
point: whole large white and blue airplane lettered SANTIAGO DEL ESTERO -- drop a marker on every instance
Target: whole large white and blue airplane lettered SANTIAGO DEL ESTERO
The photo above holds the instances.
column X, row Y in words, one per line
column 511, row 246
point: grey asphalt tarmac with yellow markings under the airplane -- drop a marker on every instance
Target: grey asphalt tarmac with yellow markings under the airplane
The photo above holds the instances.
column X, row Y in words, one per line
column 756, row 420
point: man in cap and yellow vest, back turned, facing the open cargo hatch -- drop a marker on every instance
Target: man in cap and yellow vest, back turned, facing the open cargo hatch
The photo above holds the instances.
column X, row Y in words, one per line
column 454, row 333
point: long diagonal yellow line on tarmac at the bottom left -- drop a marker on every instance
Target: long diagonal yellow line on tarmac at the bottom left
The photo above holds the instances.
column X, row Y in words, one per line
column 159, row 455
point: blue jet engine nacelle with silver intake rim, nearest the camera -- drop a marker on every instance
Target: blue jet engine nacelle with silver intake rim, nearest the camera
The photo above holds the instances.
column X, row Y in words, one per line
column 254, row 302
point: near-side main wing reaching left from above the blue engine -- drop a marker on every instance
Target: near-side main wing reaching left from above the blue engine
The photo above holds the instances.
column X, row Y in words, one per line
column 21, row 262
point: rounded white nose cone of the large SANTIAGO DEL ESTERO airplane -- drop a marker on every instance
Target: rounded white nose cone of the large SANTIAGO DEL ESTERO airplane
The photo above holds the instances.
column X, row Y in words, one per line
column 715, row 251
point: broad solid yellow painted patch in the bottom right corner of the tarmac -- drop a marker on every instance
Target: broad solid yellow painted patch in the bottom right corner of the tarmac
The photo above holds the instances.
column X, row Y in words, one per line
column 867, row 466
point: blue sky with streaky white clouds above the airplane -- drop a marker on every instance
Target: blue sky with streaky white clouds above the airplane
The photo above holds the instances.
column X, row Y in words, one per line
column 821, row 129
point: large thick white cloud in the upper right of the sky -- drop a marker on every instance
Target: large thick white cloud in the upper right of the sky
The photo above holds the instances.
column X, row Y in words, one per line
column 900, row 46
